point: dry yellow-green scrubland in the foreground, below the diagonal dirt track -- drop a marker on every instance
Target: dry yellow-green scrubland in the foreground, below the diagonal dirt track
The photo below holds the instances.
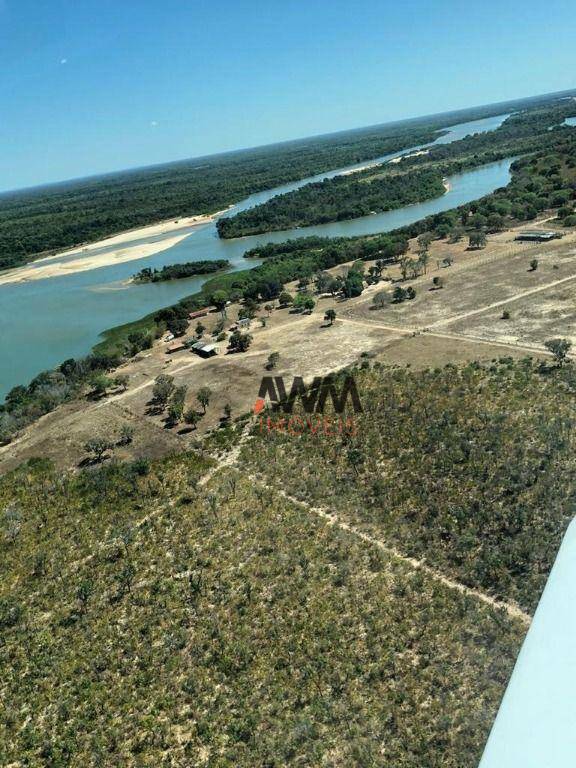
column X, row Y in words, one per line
column 223, row 625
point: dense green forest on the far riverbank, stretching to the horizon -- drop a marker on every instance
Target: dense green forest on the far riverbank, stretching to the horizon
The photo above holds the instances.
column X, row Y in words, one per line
column 60, row 216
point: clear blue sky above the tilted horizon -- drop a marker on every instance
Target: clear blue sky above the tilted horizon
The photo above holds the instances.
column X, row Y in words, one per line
column 89, row 86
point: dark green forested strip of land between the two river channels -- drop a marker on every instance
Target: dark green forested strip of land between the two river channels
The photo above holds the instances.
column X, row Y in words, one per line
column 381, row 188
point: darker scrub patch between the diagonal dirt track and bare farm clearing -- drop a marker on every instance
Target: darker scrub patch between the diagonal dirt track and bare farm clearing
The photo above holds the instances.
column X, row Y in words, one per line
column 458, row 464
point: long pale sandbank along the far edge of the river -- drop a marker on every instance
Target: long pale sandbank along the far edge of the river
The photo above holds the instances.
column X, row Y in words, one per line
column 53, row 266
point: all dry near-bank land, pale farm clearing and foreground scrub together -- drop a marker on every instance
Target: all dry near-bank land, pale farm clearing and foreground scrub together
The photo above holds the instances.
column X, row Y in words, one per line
column 271, row 600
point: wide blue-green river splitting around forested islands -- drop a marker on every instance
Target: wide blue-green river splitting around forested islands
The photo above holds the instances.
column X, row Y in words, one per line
column 43, row 322
